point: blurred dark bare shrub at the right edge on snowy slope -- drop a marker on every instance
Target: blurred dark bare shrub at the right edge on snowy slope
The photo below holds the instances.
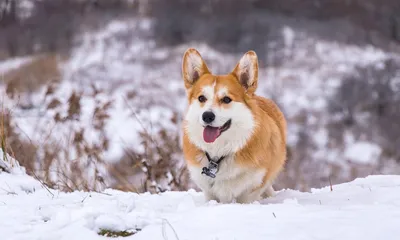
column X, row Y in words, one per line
column 367, row 103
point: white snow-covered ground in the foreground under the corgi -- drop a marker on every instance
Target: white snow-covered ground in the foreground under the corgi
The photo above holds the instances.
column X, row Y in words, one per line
column 367, row 209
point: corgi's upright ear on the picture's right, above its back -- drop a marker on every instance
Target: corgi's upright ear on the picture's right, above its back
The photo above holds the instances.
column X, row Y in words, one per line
column 246, row 71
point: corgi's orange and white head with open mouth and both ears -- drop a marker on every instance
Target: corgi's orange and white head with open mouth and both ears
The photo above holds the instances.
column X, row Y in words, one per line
column 219, row 112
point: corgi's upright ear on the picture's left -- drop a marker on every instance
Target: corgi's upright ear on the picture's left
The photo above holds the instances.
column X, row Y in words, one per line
column 193, row 67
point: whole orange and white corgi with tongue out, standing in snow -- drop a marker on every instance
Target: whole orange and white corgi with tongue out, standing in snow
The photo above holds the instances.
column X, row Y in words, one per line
column 234, row 142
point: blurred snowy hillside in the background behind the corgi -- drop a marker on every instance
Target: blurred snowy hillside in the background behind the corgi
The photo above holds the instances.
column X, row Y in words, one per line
column 121, row 67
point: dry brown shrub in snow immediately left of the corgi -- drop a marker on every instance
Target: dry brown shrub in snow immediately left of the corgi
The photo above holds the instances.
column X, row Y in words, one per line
column 159, row 168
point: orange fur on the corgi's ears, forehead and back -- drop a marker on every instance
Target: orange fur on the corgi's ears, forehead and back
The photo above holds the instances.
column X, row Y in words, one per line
column 266, row 148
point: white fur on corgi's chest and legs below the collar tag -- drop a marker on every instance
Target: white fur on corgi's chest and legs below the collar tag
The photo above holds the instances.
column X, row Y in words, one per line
column 231, row 184
